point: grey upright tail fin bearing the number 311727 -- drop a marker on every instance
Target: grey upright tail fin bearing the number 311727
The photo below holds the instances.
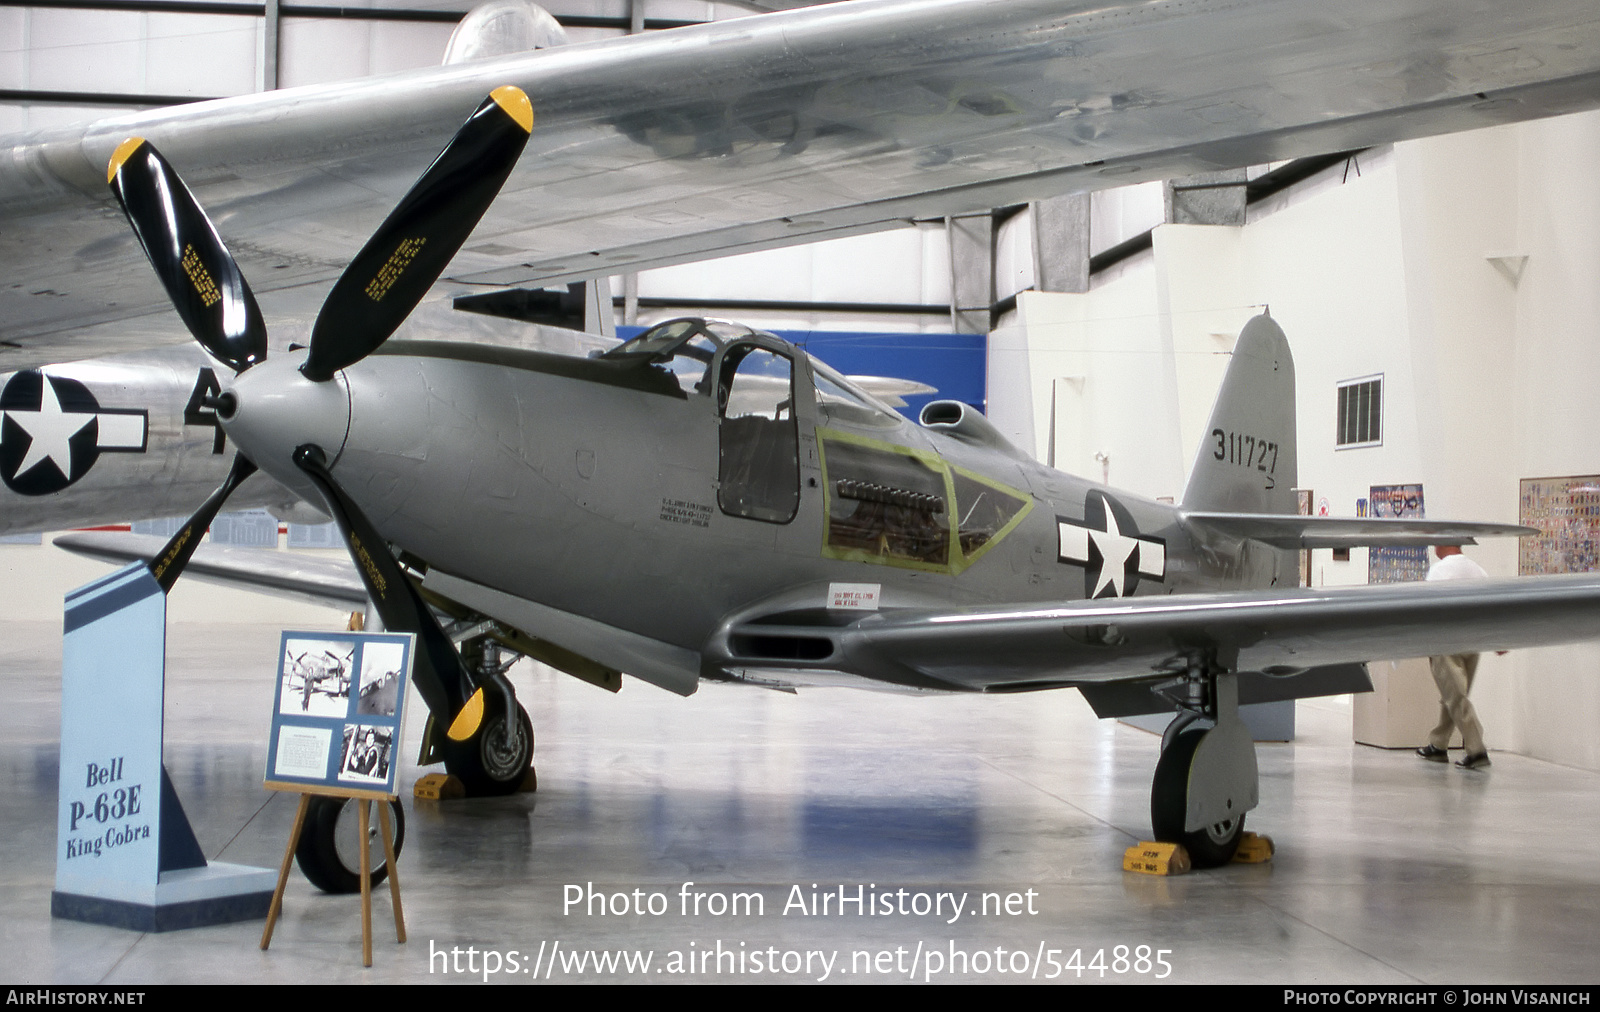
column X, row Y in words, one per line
column 1247, row 457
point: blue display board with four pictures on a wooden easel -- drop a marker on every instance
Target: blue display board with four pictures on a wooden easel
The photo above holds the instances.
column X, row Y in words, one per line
column 338, row 710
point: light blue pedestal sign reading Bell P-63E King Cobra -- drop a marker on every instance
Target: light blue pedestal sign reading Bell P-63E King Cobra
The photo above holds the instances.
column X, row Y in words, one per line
column 126, row 854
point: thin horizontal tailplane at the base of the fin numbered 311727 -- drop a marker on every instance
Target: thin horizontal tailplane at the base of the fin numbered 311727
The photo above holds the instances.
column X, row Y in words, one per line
column 1287, row 531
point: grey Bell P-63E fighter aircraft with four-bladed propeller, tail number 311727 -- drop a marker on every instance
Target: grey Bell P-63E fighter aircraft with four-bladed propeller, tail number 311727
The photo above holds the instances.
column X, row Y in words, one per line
column 706, row 502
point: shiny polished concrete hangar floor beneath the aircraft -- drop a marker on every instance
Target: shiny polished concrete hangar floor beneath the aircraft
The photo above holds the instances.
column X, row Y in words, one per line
column 1390, row 870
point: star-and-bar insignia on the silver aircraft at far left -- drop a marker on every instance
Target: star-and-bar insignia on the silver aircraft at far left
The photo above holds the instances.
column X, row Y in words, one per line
column 52, row 432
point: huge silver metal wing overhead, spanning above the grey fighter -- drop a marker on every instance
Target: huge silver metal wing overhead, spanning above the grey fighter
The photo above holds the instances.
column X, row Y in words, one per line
column 770, row 131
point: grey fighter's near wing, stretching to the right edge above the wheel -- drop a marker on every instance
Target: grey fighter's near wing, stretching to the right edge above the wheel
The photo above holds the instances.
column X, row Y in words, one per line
column 1287, row 632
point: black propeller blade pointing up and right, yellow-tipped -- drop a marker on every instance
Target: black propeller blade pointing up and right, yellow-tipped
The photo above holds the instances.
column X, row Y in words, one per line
column 414, row 246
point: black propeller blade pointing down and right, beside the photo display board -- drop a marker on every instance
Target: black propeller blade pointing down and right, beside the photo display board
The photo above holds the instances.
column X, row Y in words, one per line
column 439, row 675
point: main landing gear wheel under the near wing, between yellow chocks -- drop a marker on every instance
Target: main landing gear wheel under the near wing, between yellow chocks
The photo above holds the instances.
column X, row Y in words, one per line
column 1206, row 781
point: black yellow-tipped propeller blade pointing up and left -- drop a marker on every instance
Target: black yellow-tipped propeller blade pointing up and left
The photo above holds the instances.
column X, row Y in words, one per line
column 198, row 271
